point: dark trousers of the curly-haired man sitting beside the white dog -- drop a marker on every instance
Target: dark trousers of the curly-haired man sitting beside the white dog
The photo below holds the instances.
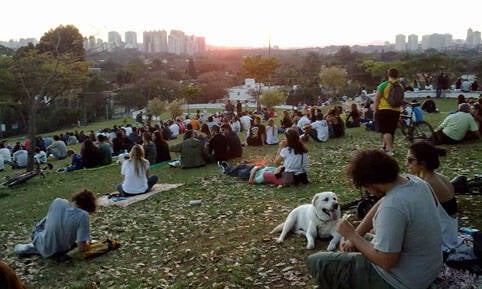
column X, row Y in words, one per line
column 344, row 270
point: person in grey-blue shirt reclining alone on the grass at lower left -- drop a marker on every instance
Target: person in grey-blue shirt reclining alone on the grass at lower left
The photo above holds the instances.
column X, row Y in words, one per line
column 65, row 226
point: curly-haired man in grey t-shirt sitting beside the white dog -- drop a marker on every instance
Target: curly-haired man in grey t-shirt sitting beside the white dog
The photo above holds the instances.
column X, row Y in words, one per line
column 405, row 250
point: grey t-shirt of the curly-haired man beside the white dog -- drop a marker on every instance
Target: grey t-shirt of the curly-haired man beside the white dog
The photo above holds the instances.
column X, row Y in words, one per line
column 407, row 221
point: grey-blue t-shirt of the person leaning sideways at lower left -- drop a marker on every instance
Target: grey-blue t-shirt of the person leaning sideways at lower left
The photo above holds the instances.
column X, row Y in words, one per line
column 65, row 225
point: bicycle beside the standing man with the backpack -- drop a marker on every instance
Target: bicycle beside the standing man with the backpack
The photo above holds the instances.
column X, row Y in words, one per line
column 414, row 130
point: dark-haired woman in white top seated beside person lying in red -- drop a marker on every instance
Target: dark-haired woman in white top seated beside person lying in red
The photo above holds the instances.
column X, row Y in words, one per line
column 294, row 156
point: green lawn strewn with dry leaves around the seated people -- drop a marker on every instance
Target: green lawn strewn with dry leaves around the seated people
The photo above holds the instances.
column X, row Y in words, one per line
column 223, row 243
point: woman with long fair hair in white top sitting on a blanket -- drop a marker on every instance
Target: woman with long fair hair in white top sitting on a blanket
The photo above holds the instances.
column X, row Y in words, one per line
column 135, row 173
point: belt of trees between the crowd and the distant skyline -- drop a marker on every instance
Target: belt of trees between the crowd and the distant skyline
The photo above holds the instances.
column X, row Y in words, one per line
column 56, row 83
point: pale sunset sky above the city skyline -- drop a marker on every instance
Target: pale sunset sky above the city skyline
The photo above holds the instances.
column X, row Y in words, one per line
column 247, row 23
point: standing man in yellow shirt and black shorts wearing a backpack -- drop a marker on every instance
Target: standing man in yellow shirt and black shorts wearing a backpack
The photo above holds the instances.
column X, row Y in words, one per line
column 388, row 100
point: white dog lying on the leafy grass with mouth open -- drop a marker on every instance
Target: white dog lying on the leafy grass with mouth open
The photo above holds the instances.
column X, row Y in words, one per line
column 316, row 219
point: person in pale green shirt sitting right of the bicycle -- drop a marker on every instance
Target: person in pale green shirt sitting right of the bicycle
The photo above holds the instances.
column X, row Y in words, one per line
column 457, row 126
